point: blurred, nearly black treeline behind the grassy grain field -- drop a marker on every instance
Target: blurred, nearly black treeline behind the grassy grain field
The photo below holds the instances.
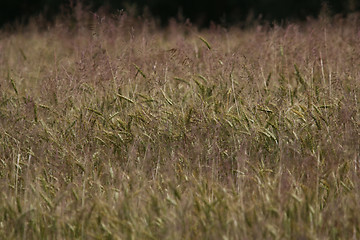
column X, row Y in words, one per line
column 198, row 11
